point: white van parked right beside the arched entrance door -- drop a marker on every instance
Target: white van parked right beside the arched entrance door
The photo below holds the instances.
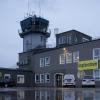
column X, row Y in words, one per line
column 69, row 80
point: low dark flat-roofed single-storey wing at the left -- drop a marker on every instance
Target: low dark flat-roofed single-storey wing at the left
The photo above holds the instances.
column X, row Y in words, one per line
column 21, row 78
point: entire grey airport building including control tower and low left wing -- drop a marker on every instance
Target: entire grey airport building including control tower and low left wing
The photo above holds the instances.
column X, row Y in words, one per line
column 75, row 53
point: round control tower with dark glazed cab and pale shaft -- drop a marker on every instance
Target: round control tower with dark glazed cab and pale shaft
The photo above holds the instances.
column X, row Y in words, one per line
column 34, row 31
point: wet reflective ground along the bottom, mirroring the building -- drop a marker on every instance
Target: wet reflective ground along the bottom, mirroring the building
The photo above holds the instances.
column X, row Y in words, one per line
column 51, row 94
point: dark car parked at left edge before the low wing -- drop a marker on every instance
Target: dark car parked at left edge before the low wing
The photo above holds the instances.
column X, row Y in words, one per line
column 7, row 83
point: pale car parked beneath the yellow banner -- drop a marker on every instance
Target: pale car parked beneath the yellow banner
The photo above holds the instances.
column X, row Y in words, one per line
column 88, row 81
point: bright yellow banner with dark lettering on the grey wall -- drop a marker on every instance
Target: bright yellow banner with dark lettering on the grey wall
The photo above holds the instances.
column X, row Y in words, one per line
column 88, row 65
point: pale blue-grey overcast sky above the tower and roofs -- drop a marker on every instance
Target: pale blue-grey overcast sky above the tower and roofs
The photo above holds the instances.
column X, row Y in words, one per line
column 82, row 15
